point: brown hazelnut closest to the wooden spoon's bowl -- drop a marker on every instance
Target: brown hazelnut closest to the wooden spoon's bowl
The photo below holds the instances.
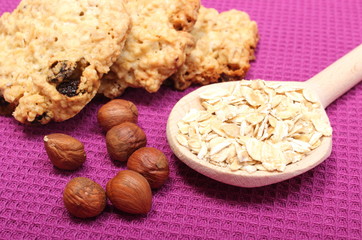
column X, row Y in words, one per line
column 150, row 163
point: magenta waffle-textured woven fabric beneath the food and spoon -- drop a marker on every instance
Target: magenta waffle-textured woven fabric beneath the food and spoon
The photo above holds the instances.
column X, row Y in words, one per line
column 298, row 39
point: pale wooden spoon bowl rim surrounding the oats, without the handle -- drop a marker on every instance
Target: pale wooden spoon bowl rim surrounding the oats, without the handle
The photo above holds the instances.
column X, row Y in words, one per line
column 225, row 175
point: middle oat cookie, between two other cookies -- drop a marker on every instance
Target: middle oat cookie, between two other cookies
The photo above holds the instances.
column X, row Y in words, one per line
column 155, row 46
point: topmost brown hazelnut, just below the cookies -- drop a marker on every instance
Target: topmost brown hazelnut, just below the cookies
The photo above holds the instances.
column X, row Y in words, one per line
column 115, row 112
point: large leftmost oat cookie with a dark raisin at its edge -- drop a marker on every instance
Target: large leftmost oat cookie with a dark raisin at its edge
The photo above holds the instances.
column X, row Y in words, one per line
column 53, row 54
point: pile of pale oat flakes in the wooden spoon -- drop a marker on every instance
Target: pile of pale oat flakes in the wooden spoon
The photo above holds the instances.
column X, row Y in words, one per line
column 255, row 126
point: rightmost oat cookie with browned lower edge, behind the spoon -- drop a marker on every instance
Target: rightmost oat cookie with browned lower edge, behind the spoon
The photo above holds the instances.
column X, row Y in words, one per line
column 225, row 44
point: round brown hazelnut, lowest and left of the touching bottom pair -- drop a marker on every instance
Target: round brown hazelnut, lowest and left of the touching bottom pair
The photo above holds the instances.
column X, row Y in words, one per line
column 84, row 198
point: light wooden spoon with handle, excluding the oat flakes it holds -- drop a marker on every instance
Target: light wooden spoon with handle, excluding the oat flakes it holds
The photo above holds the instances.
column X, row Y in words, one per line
column 328, row 85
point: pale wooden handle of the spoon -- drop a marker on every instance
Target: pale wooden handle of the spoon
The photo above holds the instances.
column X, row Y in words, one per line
column 338, row 77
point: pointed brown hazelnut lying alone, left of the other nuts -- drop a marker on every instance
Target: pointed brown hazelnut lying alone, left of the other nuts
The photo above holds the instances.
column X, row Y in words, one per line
column 64, row 151
